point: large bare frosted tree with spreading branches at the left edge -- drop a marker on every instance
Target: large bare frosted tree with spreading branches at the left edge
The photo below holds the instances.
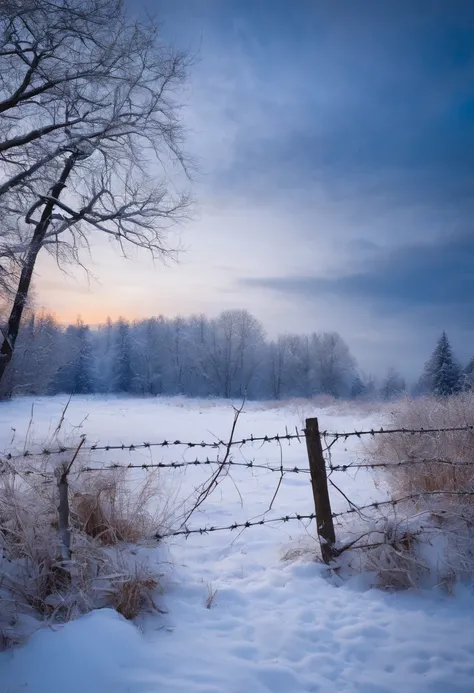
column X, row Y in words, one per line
column 89, row 136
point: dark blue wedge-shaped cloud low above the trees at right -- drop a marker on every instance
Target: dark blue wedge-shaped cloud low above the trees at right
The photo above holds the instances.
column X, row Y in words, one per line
column 433, row 282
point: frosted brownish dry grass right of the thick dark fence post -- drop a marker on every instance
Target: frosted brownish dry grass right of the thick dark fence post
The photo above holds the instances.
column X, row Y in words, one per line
column 428, row 539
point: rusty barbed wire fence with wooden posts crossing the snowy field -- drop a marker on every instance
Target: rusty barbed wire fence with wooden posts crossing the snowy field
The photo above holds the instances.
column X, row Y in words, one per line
column 319, row 447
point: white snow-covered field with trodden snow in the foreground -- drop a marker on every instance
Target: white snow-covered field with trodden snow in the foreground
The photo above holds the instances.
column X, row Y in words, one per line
column 277, row 623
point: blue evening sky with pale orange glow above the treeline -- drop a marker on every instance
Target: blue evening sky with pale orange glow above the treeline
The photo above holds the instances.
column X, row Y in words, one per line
column 335, row 187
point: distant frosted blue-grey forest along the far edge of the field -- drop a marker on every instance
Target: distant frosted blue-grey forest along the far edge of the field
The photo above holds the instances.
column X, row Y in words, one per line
column 227, row 356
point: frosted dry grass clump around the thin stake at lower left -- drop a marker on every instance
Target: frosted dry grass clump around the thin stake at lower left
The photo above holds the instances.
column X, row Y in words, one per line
column 109, row 516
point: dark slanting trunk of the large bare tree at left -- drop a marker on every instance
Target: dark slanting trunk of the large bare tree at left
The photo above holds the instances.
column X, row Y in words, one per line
column 21, row 296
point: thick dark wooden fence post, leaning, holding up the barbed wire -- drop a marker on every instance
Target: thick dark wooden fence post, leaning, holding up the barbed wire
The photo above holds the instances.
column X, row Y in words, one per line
column 319, row 482
